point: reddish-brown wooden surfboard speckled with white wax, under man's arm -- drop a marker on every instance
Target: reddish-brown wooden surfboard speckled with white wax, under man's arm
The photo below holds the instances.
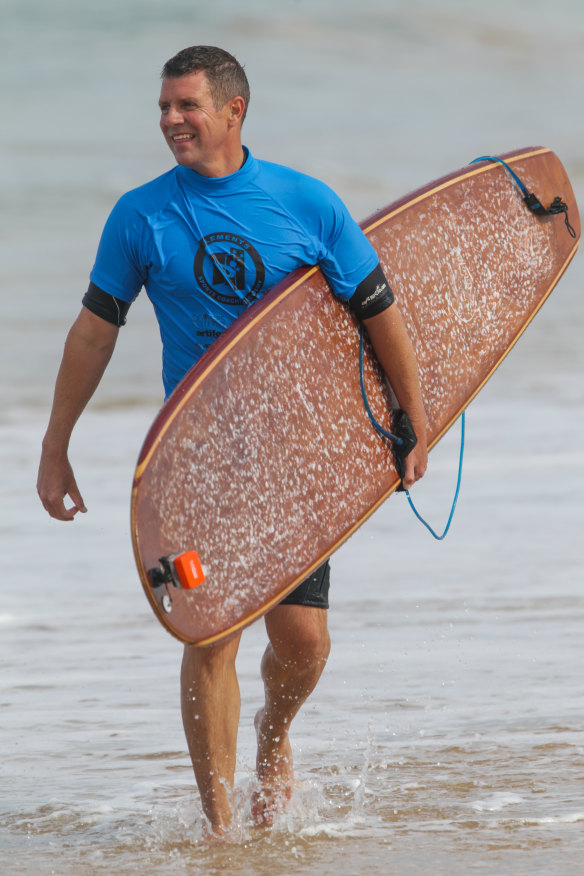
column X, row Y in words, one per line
column 263, row 460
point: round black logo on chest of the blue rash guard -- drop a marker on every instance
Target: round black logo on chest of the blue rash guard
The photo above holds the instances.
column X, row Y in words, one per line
column 229, row 269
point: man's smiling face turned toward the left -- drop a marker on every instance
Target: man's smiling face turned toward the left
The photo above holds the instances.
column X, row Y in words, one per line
column 198, row 134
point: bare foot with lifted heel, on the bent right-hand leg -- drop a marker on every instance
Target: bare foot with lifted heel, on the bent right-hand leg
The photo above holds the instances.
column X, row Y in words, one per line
column 275, row 773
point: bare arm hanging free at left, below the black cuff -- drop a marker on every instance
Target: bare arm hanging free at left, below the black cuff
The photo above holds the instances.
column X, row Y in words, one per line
column 88, row 349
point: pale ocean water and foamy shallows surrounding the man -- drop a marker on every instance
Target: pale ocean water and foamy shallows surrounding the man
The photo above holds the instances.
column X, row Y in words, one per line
column 446, row 733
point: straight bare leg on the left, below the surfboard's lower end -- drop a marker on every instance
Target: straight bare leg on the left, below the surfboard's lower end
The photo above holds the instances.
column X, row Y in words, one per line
column 210, row 709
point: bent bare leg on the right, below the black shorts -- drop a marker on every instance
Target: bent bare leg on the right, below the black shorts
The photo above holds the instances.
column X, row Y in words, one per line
column 291, row 667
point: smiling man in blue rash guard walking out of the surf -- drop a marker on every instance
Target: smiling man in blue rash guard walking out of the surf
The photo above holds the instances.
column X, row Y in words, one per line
column 205, row 240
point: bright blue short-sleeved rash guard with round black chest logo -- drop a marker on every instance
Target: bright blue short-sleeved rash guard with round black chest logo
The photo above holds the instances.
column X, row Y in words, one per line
column 205, row 248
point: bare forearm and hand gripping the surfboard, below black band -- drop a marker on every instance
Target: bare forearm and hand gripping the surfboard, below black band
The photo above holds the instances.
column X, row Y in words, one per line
column 396, row 355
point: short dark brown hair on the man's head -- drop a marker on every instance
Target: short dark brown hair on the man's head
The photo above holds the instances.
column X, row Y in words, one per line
column 225, row 75
